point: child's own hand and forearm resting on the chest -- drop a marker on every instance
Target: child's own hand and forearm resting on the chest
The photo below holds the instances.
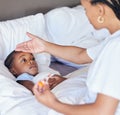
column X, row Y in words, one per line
column 55, row 80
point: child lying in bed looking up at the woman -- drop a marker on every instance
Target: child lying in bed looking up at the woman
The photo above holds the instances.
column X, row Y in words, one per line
column 24, row 67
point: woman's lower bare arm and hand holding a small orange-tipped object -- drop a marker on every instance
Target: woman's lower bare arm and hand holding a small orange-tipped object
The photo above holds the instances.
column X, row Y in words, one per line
column 104, row 105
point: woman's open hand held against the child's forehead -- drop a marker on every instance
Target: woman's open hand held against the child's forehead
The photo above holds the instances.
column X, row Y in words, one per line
column 35, row 45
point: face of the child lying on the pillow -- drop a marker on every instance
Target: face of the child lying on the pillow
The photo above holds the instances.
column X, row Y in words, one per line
column 24, row 63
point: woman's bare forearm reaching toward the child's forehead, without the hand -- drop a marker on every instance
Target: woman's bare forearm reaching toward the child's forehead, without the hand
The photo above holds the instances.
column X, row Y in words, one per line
column 71, row 53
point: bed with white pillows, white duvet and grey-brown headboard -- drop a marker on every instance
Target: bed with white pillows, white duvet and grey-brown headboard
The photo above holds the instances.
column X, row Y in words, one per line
column 43, row 18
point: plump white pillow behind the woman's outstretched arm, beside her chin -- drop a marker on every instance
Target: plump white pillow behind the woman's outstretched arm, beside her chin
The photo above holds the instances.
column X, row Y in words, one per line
column 70, row 26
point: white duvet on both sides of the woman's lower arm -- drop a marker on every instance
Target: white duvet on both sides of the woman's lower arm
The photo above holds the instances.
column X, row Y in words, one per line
column 17, row 100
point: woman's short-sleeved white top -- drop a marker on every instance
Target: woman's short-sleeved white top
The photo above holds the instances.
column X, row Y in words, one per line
column 104, row 74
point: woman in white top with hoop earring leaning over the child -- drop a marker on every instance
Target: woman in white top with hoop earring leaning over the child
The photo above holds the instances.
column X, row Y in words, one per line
column 103, row 80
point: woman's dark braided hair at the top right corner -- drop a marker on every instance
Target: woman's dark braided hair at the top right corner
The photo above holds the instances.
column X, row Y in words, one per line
column 113, row 4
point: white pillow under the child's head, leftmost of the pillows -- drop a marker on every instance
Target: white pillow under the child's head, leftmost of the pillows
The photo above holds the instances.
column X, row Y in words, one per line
column 14, row 31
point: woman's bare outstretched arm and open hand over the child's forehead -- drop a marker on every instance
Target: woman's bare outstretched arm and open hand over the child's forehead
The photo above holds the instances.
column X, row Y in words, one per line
column 71, row 53
